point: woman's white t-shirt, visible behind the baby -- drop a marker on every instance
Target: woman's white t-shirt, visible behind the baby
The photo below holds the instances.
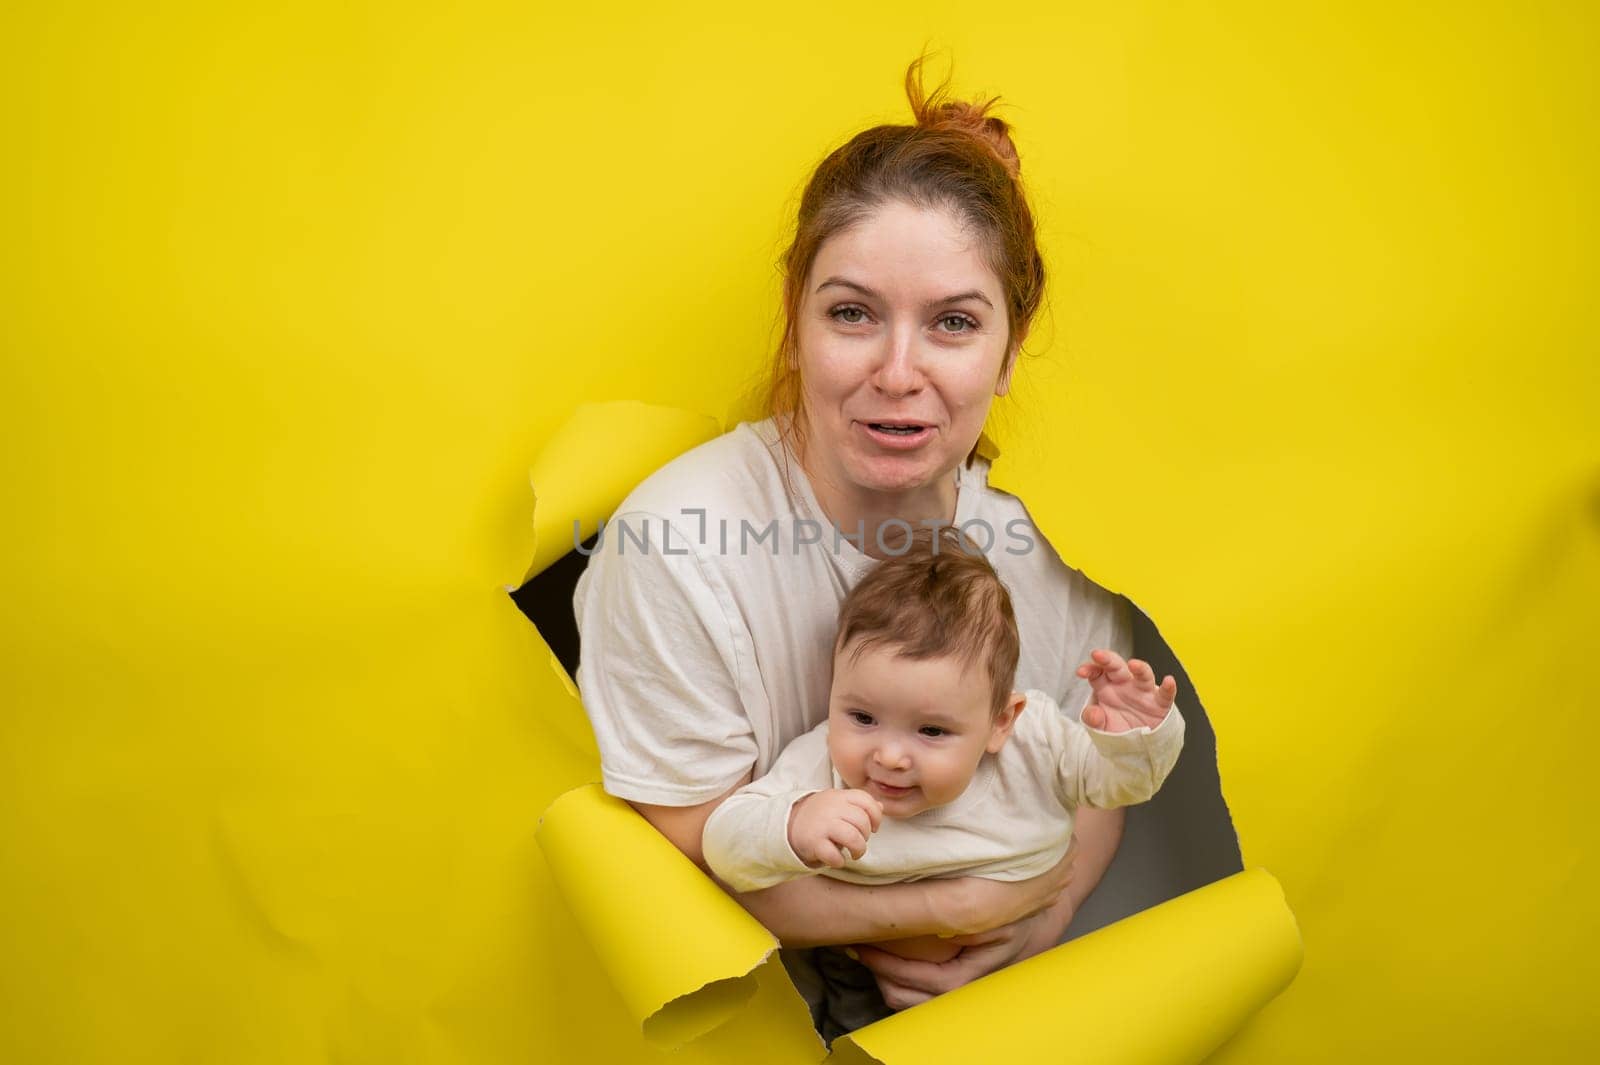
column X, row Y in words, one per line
column 706, row 620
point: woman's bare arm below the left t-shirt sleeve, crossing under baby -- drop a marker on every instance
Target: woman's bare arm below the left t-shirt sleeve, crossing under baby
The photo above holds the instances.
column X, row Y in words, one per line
column 817, row 911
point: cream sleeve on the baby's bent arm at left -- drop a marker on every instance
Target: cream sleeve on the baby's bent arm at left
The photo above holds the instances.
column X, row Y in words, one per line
column 746, row 840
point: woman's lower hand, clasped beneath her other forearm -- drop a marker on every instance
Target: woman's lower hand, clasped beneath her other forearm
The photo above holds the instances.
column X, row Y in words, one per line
column 908, row 983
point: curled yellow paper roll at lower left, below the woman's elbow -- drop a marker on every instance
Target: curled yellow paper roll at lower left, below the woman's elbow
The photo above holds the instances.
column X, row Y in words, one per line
column 678, row 949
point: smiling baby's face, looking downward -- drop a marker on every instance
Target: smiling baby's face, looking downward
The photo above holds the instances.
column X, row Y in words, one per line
column 911, row 733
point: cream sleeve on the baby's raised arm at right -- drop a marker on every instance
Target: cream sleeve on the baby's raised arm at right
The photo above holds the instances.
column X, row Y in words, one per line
column 1106, row 770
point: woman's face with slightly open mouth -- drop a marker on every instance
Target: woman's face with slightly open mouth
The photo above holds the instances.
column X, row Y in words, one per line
column 903, row 348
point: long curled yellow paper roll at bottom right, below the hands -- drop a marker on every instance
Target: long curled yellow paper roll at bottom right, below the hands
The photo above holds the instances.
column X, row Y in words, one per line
column 1166, row 986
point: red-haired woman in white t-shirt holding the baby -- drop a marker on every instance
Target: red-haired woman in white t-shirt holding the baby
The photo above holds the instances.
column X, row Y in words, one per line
column 708, row 616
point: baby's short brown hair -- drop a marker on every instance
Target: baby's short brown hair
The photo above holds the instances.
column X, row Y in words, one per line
column 940, row 597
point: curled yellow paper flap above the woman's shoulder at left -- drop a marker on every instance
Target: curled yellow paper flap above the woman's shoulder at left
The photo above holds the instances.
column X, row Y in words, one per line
column 594, row 460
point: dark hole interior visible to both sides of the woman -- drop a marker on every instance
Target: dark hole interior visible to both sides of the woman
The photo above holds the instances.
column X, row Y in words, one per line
column 1178, row 842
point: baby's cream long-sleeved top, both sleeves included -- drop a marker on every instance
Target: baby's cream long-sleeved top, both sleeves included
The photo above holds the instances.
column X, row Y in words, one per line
column 1012, row 823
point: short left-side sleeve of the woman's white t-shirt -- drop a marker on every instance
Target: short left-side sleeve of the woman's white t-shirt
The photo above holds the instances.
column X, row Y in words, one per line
column 658, row 663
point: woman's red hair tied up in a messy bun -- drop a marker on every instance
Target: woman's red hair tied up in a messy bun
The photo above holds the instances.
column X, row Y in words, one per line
column 956, row 158
